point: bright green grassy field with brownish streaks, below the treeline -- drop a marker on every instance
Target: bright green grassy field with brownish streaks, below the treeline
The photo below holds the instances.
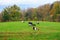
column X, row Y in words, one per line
column 22, row 31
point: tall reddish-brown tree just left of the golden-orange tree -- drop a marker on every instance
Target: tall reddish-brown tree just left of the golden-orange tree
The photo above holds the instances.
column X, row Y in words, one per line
column 43, row 12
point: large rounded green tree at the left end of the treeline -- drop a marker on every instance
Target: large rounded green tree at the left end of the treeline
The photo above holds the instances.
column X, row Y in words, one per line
column 12, row 13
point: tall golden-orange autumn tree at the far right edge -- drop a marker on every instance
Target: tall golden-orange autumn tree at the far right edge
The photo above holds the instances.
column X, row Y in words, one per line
column 55, row 11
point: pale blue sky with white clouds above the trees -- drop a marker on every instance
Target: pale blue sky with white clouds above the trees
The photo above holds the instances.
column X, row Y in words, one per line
column 24, row 4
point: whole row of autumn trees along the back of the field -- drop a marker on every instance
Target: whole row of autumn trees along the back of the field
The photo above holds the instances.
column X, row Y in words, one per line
column 47, row 12
